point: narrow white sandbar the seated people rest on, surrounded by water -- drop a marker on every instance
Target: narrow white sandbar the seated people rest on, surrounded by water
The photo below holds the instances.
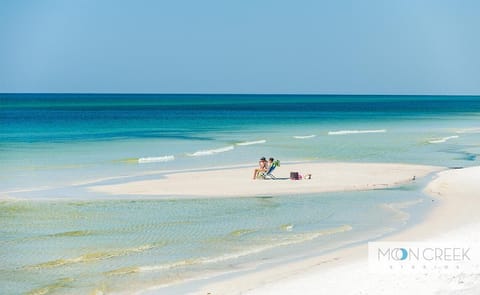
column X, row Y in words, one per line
column 238, row 182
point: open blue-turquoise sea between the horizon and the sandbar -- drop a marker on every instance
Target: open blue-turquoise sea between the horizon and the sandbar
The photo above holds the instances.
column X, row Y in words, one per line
column 57, row 140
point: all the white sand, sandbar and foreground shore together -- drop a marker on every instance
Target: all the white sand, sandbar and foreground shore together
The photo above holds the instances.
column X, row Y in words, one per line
column 455, row 217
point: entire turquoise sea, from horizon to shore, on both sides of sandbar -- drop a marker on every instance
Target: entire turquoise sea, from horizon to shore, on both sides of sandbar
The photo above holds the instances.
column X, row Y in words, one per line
column 51, row 146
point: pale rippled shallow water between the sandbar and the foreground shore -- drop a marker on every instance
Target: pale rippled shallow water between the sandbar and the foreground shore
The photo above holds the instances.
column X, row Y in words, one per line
column 82, row 246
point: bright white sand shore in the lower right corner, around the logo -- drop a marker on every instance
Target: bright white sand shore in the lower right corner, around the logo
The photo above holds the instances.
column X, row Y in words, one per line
column 346, row 271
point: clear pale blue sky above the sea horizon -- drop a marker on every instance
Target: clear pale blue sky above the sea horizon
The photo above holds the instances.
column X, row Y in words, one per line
column 248, row 46
